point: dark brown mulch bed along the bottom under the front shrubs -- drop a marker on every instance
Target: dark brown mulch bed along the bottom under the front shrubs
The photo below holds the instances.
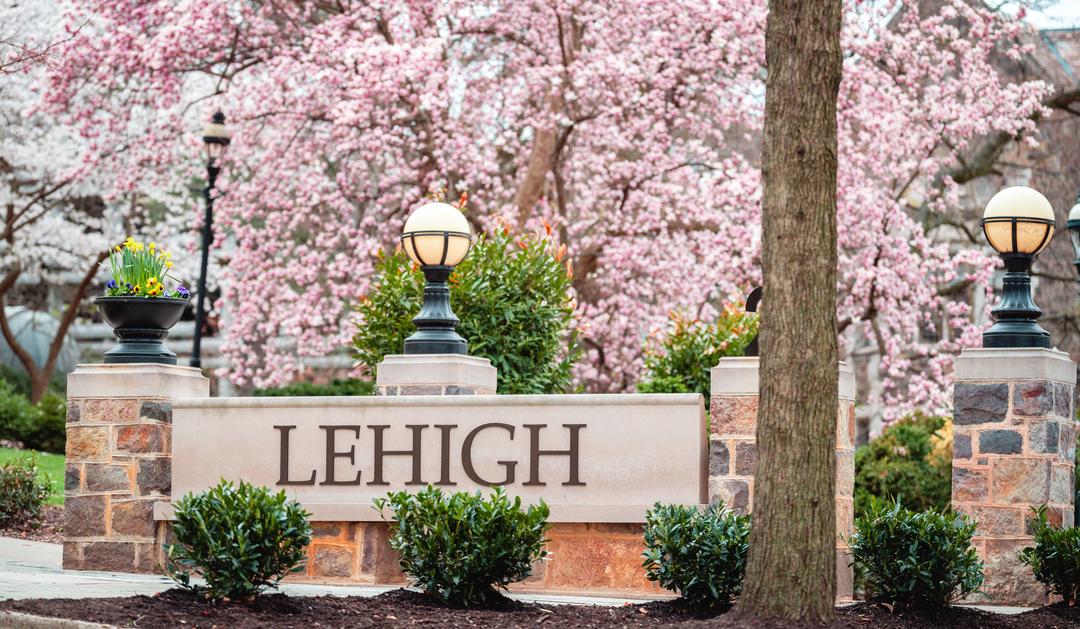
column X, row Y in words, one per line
column 407, row 609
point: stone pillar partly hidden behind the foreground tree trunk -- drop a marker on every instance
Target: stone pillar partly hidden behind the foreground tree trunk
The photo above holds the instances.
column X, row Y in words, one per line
column 734, row 453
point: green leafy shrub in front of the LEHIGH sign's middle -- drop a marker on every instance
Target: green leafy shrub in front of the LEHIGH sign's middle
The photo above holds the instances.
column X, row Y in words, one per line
column 462, row 547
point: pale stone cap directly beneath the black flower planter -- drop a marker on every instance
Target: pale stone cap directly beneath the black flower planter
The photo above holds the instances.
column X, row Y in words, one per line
column 138, row 380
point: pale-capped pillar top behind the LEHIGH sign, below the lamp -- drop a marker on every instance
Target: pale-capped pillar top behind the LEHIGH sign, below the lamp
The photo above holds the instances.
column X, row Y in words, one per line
column 443, row 370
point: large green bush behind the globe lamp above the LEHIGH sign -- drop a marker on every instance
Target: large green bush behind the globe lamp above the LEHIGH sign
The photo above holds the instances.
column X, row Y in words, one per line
column 512, row 297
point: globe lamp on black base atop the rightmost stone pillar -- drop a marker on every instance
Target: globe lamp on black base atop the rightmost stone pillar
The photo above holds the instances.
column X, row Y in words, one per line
column 1019, row 223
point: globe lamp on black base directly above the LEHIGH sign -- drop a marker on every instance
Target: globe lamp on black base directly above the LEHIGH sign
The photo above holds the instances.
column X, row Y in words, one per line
column 437, row 237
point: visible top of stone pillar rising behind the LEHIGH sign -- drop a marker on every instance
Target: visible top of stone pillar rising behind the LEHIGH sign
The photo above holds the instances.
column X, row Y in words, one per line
column 438, row 374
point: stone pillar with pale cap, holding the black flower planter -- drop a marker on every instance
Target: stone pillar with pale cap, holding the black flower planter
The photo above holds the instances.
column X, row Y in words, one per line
column 119, row 462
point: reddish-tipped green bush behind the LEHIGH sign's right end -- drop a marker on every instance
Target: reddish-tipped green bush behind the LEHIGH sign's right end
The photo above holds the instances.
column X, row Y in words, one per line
column 682, row 360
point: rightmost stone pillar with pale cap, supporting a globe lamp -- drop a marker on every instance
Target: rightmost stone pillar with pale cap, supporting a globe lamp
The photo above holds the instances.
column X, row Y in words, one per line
column 1014, row 449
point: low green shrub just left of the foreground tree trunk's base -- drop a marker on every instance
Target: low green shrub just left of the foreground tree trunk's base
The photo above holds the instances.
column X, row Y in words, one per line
column 699, row 554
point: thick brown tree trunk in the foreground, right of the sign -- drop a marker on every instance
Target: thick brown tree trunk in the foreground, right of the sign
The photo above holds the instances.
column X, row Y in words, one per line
column 791, row 571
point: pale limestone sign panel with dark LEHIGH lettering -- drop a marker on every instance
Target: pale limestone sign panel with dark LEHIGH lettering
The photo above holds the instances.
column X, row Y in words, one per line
column 593, row 459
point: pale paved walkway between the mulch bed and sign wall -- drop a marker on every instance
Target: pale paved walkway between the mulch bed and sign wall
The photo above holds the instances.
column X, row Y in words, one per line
column 32, row 570
